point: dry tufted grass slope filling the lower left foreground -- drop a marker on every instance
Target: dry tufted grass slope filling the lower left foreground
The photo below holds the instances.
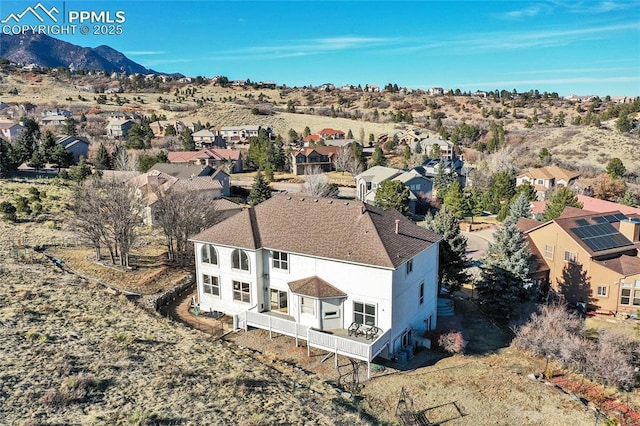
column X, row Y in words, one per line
column 72, row 354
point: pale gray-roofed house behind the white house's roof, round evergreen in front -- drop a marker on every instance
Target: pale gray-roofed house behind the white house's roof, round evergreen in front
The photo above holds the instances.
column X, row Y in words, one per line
column 368, row 182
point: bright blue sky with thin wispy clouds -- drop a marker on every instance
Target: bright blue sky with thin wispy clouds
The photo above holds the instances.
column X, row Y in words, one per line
column 581, row 47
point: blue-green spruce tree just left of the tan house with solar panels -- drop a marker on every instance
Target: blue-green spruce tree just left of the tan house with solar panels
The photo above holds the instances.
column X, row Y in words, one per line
column 505, row 280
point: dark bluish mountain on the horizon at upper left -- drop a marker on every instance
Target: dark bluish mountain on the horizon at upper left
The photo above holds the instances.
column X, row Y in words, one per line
column 40, row 49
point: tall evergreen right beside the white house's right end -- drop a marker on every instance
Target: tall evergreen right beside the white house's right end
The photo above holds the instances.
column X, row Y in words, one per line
column 453, row 246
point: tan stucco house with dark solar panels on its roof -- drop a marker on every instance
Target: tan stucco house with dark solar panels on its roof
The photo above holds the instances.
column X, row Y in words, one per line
column 589, row 258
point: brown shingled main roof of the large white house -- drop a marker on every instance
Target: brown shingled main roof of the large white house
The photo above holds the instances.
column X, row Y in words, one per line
column 328, row 228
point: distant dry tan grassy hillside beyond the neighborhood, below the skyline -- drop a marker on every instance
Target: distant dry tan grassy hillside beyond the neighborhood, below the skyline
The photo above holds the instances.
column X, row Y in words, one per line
column 575, row 146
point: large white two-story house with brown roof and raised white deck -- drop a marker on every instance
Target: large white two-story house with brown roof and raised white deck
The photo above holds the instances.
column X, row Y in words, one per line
column 321, row 270
